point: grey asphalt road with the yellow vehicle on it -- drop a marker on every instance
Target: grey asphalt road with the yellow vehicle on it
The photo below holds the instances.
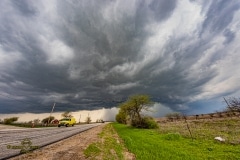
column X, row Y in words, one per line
column 12, row 141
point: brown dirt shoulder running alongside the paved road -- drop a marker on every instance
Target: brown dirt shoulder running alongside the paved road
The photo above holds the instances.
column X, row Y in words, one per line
column 70, row 148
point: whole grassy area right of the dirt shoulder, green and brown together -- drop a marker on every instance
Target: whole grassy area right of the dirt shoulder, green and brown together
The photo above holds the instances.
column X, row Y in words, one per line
column 173, row 140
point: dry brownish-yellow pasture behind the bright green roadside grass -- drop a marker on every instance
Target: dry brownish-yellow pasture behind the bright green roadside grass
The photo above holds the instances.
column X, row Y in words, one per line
column 206, row 129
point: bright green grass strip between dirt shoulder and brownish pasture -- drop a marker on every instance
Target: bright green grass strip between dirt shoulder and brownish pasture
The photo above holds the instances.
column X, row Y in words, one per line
column 149, row 144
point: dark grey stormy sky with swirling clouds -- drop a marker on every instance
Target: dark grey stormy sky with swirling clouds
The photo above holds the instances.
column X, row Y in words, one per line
column 87, row 55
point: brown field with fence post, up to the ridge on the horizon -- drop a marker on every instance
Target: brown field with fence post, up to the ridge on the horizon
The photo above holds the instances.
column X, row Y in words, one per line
column 205, row 127
